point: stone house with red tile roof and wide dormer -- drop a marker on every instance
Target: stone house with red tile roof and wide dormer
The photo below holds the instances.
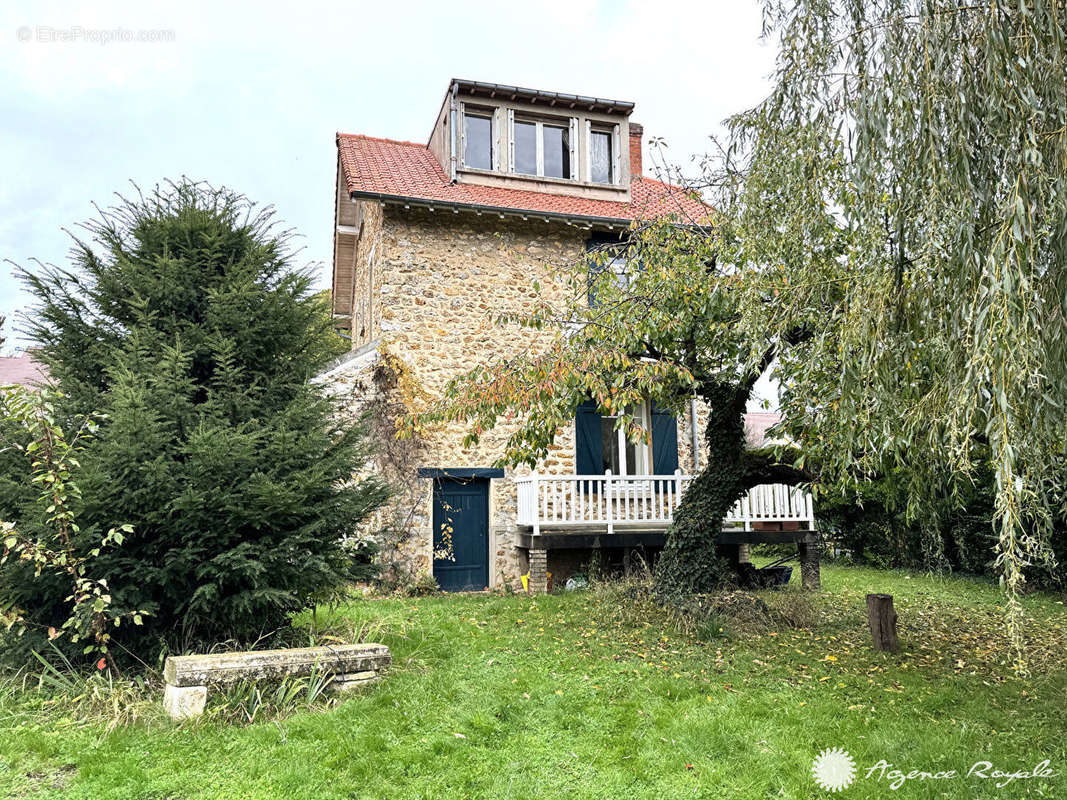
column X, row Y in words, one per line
column 433, row 243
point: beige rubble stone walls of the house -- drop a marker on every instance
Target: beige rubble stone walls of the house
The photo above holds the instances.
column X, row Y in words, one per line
column 427, row 289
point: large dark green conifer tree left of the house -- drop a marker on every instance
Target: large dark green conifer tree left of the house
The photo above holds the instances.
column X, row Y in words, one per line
column 184, row 323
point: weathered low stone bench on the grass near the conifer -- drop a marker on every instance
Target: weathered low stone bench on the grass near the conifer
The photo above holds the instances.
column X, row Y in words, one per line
column 188, row 678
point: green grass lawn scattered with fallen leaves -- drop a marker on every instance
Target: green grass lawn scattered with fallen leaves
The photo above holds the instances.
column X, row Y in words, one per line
column 597, row 695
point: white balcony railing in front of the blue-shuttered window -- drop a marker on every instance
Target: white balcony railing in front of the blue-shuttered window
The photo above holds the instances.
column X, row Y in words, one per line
column 642, row 502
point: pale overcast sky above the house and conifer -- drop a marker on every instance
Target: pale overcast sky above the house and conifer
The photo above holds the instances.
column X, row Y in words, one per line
column 251, row 98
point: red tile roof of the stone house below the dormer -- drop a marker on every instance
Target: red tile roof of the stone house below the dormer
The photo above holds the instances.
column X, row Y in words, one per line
column 399, row 170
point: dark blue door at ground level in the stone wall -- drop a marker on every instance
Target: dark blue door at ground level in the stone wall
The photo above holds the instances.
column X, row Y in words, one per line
column 461, row 515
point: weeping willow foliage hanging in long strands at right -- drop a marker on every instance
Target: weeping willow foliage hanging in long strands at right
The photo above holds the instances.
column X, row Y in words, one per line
column 903, row 194
